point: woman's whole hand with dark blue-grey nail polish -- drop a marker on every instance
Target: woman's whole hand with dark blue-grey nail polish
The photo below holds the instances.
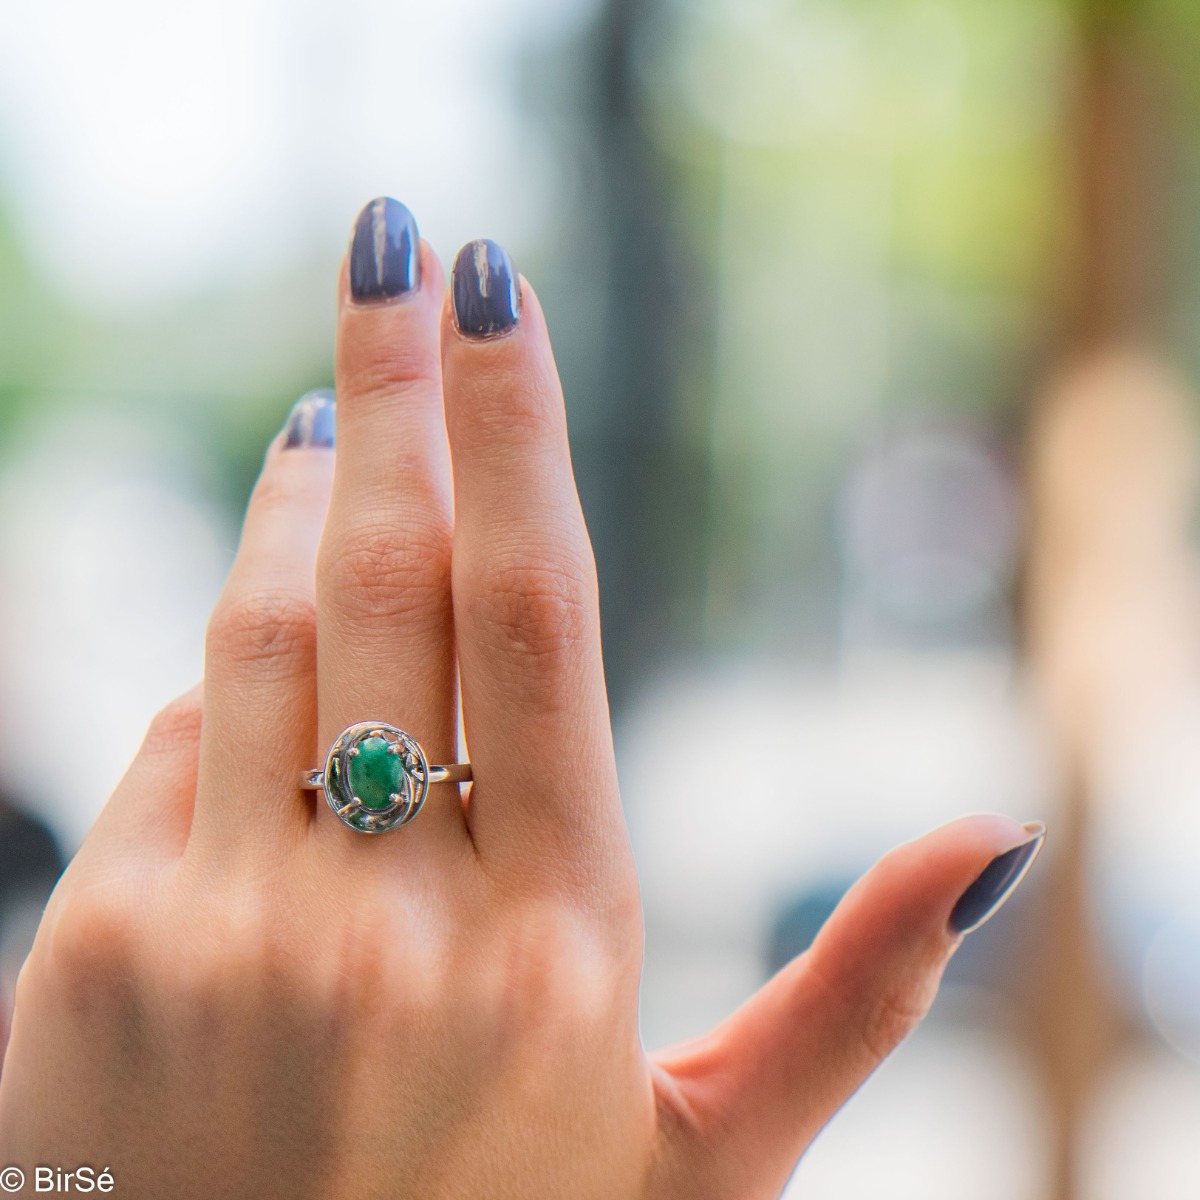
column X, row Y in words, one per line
column 235, row 995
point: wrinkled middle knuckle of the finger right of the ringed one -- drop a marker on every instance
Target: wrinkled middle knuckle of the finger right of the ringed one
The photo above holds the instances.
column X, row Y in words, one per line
column 537, row 611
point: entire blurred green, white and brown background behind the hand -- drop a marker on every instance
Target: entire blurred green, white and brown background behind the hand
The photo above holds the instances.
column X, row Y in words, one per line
column 880, row 329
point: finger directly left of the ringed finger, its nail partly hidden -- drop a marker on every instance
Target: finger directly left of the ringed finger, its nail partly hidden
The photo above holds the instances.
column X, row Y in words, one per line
column 260, row 689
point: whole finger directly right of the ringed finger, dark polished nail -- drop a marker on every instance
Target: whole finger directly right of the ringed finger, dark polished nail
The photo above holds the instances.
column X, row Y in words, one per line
column 526, row 611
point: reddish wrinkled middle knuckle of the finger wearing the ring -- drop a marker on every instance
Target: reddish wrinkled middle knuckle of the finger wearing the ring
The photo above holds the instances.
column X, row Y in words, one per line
column 383, row 573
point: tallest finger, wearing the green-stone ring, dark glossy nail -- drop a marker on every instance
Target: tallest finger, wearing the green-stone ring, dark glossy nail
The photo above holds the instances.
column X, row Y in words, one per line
column 386, row 628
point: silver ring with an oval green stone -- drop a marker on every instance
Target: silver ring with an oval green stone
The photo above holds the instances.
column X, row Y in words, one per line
column 376, row 777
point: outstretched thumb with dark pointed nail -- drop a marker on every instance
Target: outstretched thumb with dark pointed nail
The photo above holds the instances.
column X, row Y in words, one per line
column 741, row 1106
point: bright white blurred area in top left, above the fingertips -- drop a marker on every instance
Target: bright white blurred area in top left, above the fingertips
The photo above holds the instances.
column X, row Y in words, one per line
column 155, row 149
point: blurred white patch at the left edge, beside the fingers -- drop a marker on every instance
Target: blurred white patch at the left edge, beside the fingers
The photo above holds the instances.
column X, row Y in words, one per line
column 112, row 562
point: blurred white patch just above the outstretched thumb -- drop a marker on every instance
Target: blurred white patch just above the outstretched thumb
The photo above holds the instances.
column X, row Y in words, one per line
column 776, row 782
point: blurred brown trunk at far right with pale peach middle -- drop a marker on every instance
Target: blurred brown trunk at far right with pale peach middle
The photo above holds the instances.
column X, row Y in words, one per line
column 1111, row 460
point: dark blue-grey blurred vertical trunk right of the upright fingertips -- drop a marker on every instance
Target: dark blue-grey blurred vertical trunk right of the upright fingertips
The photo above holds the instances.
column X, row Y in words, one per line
column 645, row 488
